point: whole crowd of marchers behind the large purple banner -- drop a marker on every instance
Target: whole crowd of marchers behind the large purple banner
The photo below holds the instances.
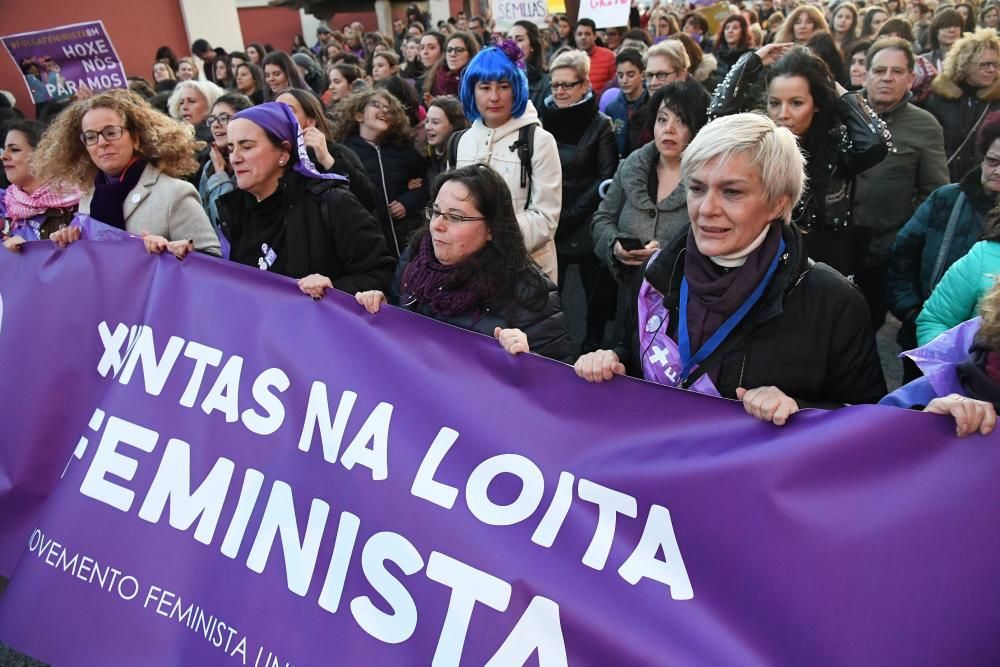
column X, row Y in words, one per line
column 745, row 203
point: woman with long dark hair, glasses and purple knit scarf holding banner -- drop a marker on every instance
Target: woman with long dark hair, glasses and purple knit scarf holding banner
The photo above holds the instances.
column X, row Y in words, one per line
column 468, row 267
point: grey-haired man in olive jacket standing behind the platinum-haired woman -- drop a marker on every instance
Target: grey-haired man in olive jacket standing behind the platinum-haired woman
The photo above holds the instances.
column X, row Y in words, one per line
column 886, row 195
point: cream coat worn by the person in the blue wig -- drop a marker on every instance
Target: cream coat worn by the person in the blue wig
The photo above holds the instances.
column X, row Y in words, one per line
column 539, row 220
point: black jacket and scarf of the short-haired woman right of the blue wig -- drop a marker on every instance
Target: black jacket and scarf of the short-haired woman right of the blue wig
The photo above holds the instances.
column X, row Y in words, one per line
column 588, row 153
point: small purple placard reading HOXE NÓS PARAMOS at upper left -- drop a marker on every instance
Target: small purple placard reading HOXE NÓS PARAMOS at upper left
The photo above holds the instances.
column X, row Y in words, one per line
column 60, row 61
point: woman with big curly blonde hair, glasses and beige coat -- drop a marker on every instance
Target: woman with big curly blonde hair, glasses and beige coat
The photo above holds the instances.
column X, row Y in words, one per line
column 128, row 159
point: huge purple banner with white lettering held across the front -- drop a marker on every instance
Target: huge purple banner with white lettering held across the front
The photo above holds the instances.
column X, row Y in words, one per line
column 200, row 465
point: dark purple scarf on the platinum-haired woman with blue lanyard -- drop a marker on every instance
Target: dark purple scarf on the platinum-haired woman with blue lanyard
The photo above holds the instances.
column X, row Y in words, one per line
column 716, row 293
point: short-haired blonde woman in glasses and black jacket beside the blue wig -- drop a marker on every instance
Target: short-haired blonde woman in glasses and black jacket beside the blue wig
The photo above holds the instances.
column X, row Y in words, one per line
column 588, row 154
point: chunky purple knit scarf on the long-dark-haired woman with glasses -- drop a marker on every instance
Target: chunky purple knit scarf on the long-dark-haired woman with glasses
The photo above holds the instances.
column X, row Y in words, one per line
column 437, row 285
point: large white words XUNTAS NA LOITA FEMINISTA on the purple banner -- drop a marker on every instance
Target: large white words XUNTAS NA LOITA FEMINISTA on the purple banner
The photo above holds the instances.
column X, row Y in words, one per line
column 213, row 384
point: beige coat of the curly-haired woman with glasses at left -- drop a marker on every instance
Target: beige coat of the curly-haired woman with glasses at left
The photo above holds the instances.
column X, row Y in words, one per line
column 166, row 206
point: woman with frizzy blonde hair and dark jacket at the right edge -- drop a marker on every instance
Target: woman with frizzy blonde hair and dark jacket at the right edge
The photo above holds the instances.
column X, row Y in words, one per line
column 963, row 94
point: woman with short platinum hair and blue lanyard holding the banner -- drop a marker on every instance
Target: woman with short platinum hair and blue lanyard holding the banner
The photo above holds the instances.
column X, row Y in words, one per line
column 735, row 308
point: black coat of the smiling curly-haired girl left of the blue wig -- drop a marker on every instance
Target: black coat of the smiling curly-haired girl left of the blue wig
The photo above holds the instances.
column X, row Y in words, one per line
column 390, row 168
